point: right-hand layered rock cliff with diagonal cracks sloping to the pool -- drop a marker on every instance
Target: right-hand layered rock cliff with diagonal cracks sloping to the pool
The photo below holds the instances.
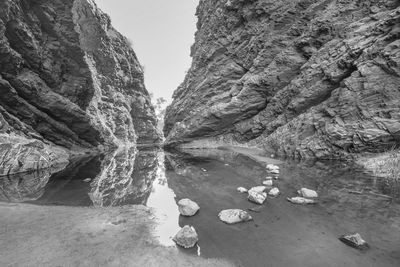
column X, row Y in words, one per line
column 308, row 79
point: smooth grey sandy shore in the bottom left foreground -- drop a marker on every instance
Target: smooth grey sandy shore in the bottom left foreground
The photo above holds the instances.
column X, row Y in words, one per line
column 67, row 236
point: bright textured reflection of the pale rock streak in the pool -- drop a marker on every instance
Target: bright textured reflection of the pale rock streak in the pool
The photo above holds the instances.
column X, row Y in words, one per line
column 126, row 177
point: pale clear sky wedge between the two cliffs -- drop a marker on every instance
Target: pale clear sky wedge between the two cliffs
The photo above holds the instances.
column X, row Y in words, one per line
column 162, row 32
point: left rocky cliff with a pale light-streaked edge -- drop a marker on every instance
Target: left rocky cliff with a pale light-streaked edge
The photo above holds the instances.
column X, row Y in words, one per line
column 69, row 82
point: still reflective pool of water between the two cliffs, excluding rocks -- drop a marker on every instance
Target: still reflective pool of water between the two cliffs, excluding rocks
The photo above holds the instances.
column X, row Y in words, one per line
column 282, row 234
